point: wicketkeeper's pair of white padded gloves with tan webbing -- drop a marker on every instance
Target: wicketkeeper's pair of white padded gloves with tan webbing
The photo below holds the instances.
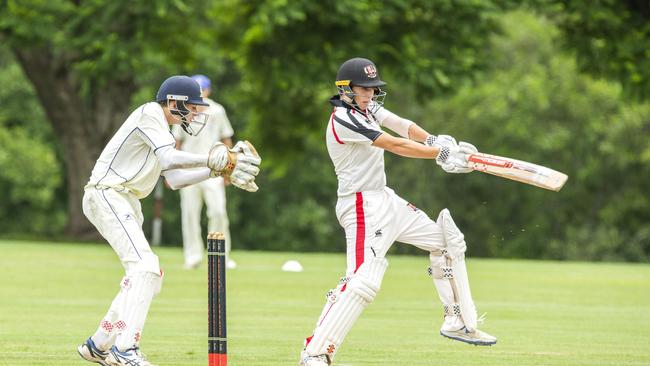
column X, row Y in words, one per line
column 240, row 164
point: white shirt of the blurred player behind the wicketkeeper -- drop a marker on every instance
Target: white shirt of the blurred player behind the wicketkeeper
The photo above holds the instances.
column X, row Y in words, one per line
column 217, row 128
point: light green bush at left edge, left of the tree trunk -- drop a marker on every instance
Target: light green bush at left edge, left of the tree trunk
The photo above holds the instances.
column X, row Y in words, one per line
column 30, row 176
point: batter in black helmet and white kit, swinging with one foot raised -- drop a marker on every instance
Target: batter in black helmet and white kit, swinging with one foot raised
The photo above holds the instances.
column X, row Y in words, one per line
column 374, row 217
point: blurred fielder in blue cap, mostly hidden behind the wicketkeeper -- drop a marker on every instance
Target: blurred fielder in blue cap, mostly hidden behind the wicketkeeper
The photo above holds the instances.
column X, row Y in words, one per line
column 212, row 191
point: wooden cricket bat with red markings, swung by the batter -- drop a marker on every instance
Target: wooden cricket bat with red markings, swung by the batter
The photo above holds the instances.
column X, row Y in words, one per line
column 518, row 170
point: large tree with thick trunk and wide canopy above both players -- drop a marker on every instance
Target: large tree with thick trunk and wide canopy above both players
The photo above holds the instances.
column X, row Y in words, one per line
column 87, row 60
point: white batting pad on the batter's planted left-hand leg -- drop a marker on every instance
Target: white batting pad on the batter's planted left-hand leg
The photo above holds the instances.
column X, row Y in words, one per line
column 345, row 309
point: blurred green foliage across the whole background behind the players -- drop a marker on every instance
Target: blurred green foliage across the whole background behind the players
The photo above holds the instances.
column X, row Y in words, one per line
column 462, row 68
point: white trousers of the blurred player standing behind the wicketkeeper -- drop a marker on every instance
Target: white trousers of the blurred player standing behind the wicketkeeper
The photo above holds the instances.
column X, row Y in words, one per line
column 213, row 192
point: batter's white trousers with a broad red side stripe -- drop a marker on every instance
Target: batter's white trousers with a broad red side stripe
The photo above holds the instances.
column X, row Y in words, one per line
column 374, row 220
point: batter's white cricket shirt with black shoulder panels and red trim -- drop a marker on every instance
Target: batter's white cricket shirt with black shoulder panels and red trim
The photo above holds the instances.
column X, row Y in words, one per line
column 359, row 166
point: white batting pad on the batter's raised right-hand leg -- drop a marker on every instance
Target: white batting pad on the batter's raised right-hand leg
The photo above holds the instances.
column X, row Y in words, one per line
column 454, row 270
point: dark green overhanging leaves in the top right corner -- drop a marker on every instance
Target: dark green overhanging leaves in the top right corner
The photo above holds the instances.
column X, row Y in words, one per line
column 610, row 38
